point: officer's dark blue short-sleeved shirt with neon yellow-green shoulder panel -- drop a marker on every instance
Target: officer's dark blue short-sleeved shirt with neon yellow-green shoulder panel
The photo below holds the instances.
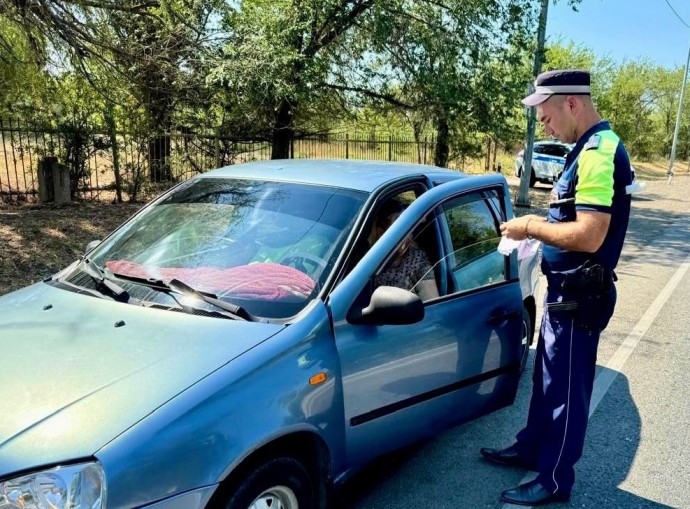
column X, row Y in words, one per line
column 596, row 173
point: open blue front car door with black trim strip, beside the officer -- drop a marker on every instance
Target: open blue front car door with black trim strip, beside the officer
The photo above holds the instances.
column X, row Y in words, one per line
column 403, row 382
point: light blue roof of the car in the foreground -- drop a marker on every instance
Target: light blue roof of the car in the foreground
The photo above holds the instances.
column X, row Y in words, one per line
column 358, row 175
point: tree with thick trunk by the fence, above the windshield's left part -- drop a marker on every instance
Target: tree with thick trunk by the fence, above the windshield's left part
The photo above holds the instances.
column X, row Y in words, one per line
column 164, row 56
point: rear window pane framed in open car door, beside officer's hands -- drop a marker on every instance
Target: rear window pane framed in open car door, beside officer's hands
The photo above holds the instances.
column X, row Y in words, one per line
column 473, row 226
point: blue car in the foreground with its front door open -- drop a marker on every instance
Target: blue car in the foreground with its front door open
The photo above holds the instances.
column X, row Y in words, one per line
column 229, row 346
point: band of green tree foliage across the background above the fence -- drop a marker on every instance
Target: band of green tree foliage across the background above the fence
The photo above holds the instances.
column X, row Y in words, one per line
column 273, row 70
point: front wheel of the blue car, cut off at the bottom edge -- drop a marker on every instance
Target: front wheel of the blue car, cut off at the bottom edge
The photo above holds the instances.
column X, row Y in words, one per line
column 280, row 483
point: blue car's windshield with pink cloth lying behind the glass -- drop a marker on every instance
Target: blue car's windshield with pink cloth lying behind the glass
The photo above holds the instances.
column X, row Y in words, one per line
column 265, row 246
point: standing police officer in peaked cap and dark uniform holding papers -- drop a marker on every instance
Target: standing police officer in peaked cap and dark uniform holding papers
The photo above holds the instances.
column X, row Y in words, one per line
column 583, row 237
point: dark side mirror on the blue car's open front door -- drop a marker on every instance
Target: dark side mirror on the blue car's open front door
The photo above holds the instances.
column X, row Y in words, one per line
column 390, row 306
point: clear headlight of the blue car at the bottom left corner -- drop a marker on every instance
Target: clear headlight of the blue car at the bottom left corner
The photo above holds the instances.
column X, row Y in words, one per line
column 70, row 487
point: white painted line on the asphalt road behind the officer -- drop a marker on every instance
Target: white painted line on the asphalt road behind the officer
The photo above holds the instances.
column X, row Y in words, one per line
column 603, row 381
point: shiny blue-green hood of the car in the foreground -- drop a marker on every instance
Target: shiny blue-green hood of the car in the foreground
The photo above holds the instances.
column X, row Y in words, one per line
column 79, row 370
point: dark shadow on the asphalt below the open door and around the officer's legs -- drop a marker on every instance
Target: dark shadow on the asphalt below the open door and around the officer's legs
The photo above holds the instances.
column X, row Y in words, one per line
column 447, row 472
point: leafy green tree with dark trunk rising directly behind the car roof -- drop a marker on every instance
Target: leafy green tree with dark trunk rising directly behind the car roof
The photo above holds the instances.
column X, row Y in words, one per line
column 277, row 58
